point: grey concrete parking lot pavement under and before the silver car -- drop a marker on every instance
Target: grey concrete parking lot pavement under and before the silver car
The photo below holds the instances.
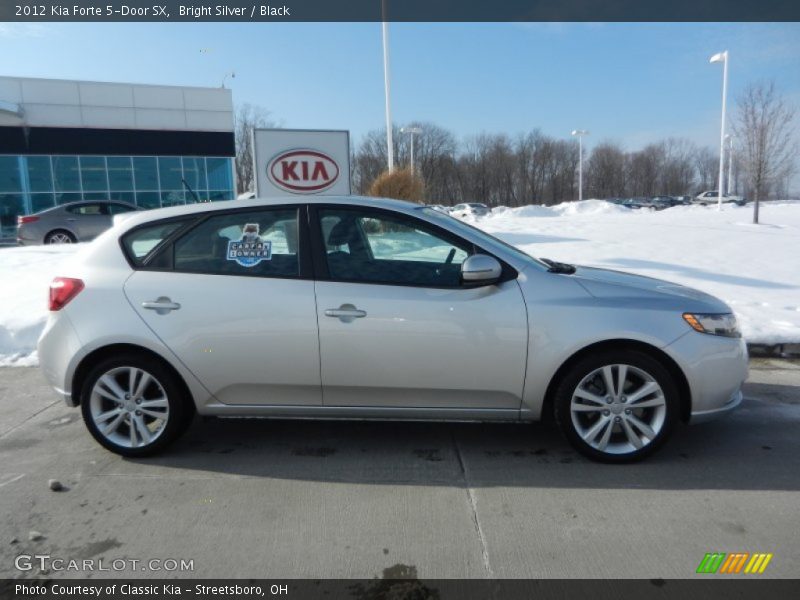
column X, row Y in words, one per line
column 258, row 498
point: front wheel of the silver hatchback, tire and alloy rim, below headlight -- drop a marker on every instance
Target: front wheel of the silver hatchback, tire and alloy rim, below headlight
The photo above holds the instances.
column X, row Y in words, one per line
column 617, row 406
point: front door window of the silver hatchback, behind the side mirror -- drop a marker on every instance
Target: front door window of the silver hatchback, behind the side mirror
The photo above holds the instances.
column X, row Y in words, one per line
column 375, row 247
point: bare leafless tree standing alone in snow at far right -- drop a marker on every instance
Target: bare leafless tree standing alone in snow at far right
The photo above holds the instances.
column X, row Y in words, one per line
column 763, row 126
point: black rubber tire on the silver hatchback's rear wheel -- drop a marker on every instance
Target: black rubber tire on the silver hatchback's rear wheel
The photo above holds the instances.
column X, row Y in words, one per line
column 180, row 407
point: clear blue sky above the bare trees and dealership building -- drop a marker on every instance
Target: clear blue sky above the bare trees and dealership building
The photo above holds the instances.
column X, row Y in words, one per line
column 632, row 83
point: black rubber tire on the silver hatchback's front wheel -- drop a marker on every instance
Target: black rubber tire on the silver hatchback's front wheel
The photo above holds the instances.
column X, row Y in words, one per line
column 642, row 362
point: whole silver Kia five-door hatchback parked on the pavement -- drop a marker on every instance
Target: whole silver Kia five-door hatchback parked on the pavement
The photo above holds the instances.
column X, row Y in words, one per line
column 364, row 308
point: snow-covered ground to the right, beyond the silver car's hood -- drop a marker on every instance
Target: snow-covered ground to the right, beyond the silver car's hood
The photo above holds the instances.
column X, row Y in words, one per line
column 754, row 268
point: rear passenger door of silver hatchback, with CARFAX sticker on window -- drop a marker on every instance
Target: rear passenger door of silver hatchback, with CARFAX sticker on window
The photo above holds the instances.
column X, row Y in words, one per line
column 233, row 298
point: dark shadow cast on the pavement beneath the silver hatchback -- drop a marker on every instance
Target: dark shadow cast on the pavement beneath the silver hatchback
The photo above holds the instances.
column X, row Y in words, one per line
column 754, row 449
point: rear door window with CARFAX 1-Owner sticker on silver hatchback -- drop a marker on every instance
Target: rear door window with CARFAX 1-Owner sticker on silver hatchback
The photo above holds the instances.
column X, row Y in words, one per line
column 261, row 242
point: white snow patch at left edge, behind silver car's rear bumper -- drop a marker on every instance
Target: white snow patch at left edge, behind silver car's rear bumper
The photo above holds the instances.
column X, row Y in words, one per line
column 26, row 274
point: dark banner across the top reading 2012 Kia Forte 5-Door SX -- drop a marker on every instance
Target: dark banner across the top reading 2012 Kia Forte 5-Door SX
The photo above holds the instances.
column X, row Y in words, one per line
column 397, row 10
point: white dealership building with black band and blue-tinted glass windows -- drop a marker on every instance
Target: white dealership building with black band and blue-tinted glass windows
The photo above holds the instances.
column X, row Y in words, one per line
column 150, row 145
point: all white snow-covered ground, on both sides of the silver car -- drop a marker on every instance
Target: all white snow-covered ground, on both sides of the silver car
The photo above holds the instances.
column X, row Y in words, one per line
column 754, row 268
